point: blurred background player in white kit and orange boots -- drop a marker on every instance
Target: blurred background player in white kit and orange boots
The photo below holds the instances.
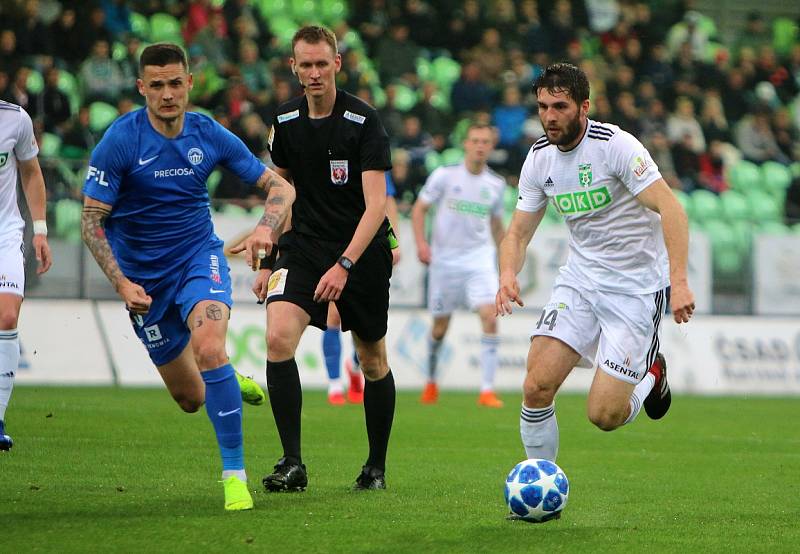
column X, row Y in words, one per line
column 463, row 256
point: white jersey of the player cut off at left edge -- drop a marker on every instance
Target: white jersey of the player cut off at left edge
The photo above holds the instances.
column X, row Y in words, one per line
column 16, row 143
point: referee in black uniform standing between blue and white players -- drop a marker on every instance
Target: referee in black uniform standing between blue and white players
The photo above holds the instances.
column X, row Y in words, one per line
column 334, row 150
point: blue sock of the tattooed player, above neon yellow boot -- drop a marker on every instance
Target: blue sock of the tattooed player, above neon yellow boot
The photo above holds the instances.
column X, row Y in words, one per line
column 224, row 408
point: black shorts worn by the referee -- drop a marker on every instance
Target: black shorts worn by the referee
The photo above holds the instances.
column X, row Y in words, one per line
column 364, row 303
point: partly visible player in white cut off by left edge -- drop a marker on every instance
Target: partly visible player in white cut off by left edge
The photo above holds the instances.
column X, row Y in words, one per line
column 18, row 152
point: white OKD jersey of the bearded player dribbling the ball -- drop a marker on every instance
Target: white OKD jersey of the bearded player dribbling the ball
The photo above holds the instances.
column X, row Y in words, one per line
column 616, row 244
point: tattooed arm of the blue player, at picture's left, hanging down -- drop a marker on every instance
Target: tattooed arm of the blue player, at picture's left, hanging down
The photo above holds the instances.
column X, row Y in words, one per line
column 94, row 236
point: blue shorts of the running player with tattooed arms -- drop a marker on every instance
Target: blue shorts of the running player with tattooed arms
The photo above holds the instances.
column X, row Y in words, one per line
column 163, row 329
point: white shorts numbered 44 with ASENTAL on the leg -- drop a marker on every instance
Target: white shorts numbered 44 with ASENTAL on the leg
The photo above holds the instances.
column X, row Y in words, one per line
column 618, row 331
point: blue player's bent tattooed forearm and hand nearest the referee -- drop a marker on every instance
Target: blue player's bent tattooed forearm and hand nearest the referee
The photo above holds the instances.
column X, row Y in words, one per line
column 280, row 197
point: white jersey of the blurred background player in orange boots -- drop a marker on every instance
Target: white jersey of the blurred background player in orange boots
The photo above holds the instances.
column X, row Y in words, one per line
column 465, row 204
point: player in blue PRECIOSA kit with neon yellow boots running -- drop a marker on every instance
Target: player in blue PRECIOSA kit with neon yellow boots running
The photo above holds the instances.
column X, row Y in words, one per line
column 146, row 220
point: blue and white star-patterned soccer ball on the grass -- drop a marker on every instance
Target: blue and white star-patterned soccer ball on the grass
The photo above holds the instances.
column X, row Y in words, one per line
column 536, row 490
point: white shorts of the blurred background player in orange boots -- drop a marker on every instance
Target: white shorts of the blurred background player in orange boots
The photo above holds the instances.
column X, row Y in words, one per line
column 450, row 289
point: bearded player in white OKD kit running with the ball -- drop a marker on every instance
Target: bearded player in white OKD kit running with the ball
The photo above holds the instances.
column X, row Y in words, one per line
column 628, row 243
